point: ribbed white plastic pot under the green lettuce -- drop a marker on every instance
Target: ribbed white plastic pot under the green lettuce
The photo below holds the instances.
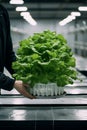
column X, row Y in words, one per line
column 50, row 89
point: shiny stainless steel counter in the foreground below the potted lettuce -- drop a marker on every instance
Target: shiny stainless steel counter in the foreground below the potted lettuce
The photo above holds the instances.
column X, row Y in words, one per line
column 69, row 111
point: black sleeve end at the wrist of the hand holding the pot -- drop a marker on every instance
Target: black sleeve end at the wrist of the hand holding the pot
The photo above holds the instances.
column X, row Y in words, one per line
column 6, row 82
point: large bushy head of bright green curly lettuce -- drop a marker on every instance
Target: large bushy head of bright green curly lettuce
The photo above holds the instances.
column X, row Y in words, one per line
column 45, row 57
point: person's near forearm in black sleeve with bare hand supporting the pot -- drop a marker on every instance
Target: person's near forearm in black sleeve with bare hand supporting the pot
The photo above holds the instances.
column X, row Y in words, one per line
column 8, row 83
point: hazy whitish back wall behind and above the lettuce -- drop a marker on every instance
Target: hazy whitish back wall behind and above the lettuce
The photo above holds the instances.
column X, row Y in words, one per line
column 72, row 36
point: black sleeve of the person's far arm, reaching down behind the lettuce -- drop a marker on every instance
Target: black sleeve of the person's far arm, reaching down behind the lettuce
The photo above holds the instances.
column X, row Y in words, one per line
column 10, row 54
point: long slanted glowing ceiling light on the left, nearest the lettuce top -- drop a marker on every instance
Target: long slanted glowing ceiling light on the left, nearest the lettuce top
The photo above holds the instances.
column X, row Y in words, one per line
column 28, row 18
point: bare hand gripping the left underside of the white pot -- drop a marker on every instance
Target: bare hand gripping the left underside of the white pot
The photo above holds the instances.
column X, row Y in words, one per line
column 21, row 88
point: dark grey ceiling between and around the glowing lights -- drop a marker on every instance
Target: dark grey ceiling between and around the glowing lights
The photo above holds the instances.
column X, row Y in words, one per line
column 47, row 9
